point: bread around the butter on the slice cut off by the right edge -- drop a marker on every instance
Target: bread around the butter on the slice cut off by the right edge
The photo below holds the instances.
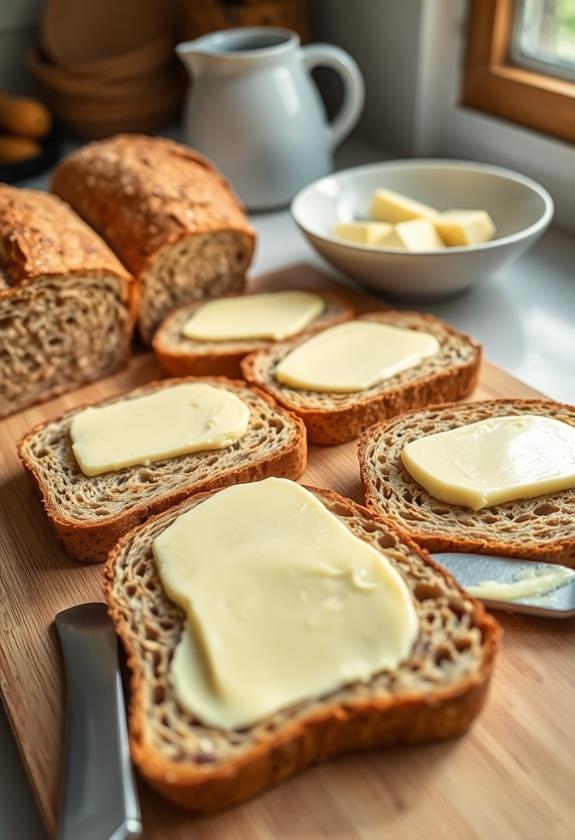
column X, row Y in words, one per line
column 541, row 529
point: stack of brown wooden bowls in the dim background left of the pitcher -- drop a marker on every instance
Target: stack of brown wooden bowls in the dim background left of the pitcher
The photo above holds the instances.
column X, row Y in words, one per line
column 107, row 66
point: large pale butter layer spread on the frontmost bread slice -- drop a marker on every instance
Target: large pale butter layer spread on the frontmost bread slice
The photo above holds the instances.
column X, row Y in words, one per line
column 283, row 575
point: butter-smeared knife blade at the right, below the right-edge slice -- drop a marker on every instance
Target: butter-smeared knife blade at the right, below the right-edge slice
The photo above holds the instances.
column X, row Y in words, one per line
column 473, row 569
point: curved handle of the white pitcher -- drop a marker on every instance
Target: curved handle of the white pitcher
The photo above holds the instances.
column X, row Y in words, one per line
column 326, row 55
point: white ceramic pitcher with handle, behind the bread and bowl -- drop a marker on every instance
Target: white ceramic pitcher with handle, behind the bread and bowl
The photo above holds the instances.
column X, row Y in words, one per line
column 255, row 111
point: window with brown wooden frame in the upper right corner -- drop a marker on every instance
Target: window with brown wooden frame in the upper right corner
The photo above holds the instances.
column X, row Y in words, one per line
column 520, row 63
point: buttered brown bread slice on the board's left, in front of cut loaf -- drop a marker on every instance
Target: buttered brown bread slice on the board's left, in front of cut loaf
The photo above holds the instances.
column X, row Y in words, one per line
column 102, row 469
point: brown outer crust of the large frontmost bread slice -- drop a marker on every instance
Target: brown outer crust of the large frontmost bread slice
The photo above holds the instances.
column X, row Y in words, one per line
column 365, row 723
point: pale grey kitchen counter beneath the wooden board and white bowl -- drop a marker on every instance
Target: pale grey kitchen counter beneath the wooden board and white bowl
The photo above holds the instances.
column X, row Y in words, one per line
column 525, row 318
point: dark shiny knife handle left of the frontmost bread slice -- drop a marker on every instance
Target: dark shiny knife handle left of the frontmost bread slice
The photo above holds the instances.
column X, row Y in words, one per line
column 98, row 795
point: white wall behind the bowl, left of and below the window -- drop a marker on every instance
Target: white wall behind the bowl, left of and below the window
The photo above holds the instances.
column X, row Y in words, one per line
column 411, row 52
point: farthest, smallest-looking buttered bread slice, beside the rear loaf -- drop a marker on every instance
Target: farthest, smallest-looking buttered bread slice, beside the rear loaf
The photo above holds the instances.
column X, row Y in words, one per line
column 213, row 337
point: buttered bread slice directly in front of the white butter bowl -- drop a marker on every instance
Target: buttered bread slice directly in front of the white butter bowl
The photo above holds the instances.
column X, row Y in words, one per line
column 348, row 377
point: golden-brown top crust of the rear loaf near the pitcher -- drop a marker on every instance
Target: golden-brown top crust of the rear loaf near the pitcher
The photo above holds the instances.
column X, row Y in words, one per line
column 144, row 193
